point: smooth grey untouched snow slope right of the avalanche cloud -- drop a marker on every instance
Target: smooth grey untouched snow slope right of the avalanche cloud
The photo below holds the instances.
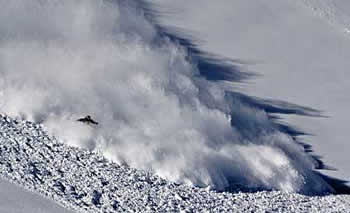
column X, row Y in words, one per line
column 299, row 47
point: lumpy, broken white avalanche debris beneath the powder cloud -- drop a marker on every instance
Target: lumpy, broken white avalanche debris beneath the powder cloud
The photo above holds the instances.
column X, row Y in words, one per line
column 85, row 181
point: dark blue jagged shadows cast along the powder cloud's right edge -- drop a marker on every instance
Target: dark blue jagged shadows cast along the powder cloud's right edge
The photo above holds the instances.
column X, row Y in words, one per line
column 219, row 68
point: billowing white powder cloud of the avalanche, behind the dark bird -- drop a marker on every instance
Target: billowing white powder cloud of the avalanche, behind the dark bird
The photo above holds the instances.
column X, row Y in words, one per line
column 61, row 60
